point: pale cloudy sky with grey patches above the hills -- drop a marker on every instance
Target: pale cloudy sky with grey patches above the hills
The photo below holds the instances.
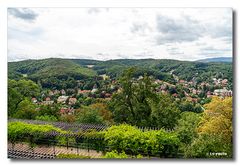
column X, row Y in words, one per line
column 116, row 33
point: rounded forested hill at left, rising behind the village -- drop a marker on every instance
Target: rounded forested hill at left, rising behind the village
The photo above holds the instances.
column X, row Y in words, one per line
column 59, row 73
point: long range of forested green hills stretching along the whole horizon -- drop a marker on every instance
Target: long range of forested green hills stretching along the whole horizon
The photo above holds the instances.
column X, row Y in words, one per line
column 52, row 70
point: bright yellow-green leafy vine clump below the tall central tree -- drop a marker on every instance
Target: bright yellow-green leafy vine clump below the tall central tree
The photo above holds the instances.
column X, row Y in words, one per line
column 130, row 139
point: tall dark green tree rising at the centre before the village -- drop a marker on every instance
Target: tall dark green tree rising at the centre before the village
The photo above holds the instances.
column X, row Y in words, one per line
column 131, row 104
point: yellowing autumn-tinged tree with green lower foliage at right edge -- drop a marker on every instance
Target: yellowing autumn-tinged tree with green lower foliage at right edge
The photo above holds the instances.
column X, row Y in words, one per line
column 214, row 132
